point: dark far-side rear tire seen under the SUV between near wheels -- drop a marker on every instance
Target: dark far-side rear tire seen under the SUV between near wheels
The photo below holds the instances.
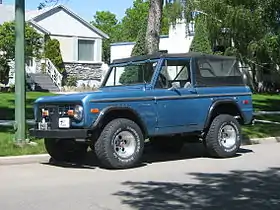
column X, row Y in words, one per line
column 167, row 144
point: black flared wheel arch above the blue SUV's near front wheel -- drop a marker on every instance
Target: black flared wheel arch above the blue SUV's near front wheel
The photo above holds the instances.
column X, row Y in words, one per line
column 112, row 112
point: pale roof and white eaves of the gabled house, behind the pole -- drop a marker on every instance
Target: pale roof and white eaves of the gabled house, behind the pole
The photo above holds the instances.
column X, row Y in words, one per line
column 7, row 14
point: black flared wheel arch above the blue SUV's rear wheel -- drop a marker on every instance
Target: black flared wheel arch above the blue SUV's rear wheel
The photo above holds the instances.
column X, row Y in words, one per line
column 223, row 106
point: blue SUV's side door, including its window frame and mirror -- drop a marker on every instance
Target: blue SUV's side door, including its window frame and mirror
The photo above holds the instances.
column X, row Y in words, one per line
column 176, row 99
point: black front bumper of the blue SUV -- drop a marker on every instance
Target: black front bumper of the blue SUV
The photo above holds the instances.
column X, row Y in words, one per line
column 61, row 133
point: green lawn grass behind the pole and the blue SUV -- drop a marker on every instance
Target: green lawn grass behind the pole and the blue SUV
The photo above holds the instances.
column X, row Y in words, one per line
column 263, row 102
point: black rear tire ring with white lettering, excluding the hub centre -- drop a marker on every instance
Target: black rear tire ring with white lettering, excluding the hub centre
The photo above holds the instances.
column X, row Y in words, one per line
column 212, row 139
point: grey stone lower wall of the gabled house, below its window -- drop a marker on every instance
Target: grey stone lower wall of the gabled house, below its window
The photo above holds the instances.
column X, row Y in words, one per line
column 86, row 73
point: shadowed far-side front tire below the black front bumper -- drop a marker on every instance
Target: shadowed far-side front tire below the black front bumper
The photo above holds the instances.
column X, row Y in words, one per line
column 66, row 150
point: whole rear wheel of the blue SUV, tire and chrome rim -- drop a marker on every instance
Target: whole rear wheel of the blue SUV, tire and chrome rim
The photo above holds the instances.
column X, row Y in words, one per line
column 224, row 137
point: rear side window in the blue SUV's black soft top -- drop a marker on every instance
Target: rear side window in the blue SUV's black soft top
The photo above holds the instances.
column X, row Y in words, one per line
column 212, row 71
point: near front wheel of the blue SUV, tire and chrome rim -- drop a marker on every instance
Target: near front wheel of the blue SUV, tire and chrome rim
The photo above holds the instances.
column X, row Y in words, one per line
column 120, row 144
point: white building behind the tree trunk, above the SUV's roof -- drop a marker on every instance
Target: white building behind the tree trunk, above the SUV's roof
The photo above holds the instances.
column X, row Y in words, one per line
column 178, row 40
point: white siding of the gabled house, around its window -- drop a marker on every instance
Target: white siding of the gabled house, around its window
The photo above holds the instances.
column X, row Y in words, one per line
column 68, row 31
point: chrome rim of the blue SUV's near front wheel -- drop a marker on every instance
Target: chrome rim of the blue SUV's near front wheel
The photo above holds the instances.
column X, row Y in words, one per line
column 125, row 144
